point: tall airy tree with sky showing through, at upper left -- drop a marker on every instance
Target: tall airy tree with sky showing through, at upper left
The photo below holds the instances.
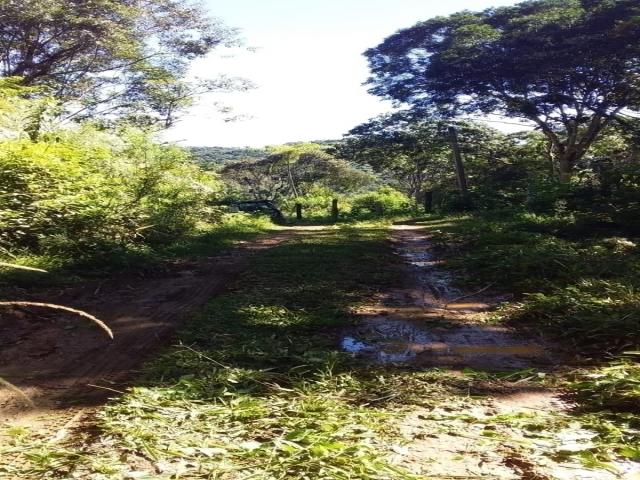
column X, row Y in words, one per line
column 111, row 56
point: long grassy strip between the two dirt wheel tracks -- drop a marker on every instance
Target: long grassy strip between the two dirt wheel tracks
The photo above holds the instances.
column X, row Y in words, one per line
column 255, row 387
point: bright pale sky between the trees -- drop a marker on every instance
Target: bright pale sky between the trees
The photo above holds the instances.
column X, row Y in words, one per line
column 308, row 67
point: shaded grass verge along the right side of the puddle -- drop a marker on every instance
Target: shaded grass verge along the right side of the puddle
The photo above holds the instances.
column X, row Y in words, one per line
column 577, row 285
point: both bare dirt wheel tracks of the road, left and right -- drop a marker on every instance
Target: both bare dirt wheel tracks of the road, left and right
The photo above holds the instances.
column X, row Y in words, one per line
column 67, row 367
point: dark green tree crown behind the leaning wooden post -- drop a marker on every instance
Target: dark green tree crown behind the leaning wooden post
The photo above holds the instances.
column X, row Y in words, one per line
column 415, row 154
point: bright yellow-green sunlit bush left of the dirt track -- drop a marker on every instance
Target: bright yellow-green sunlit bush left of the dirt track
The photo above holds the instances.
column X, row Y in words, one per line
column 85, row 190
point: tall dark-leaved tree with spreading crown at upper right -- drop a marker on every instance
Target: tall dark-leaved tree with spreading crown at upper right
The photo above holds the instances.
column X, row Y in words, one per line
column 569, row 66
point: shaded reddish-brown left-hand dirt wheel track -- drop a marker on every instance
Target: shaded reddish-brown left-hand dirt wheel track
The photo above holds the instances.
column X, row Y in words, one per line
column 64, row 365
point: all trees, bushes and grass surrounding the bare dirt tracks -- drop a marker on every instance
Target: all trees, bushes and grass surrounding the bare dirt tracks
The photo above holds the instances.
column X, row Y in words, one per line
column 550, row 215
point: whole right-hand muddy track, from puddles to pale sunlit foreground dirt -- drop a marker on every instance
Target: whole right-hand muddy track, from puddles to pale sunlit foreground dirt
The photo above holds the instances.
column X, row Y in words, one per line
column 427, row 322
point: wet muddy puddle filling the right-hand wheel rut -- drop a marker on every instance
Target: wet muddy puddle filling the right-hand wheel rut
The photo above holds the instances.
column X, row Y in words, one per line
column 428, row 322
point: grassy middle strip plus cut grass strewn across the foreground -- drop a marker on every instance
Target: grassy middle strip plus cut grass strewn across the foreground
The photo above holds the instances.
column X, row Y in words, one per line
column 256, row 387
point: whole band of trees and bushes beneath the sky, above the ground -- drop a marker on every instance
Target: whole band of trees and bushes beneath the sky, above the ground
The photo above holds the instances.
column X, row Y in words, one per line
column 86, row 85
